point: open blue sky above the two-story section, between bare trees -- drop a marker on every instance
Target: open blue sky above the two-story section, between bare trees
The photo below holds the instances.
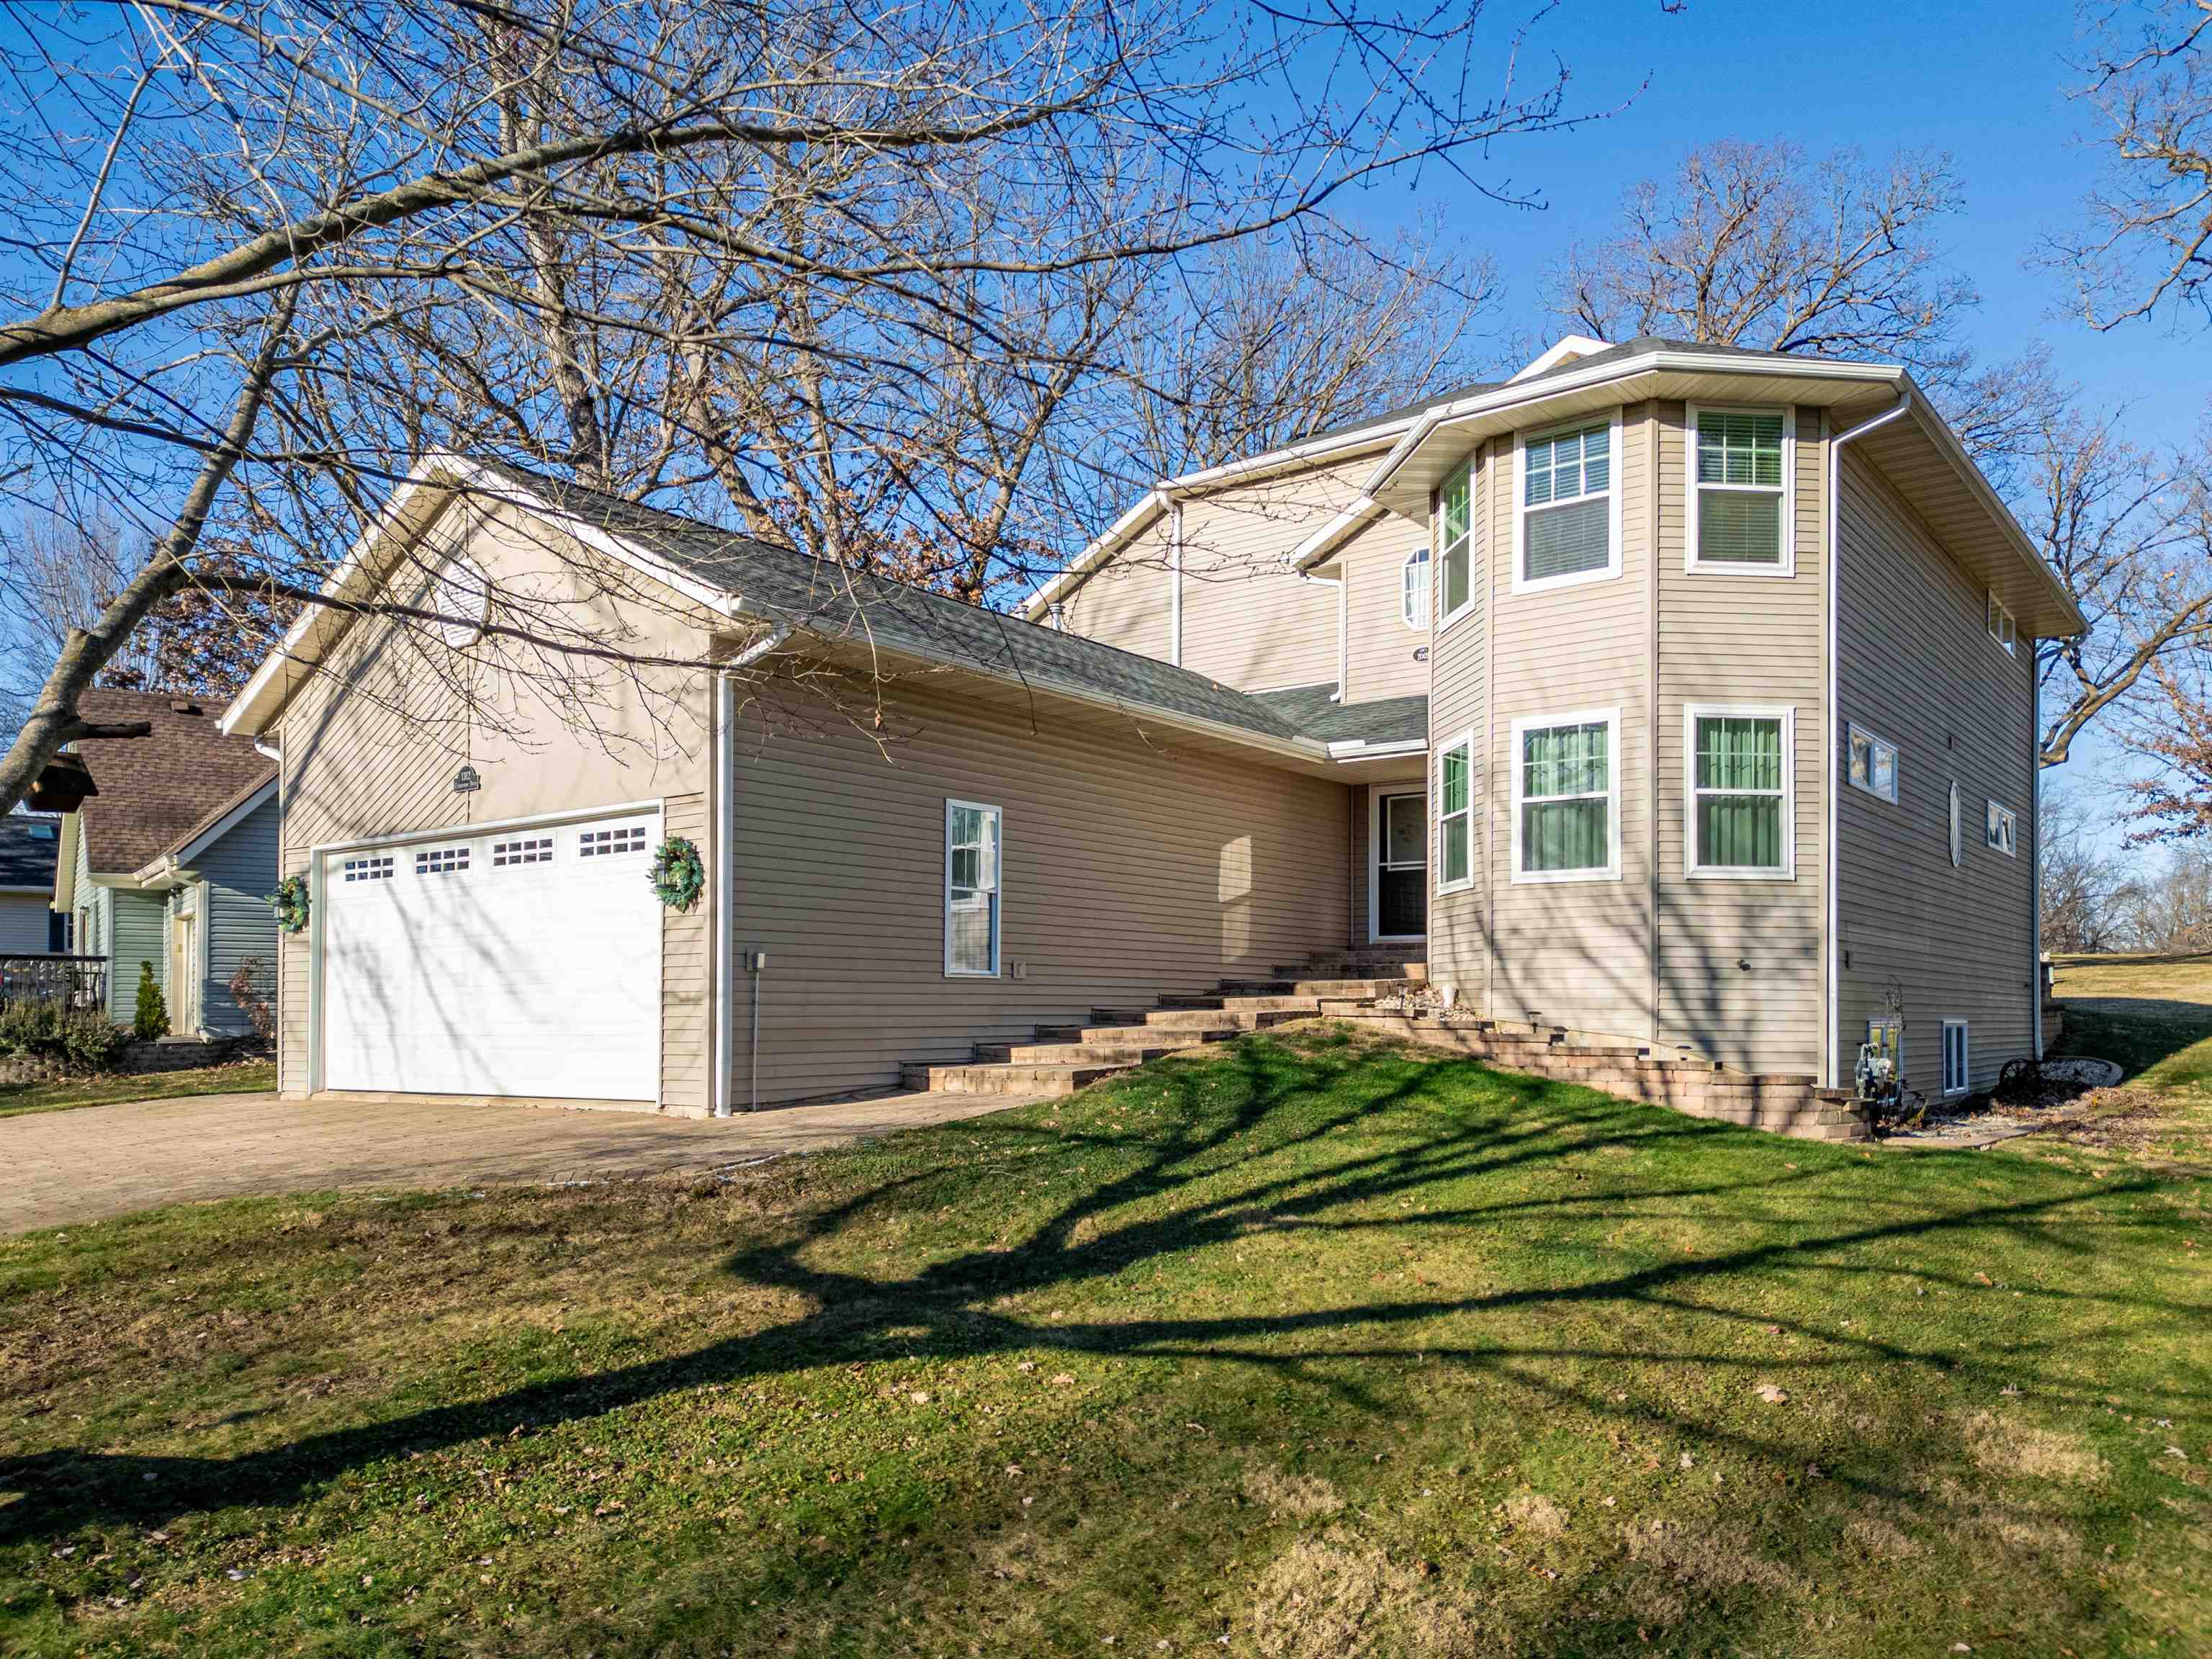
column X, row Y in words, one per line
column 1987, row 87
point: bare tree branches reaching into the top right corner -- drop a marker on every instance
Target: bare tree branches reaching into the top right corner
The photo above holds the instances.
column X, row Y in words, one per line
column 2147, row 236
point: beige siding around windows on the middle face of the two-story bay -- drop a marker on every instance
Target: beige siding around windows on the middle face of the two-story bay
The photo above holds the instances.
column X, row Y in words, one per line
column 1574, row 952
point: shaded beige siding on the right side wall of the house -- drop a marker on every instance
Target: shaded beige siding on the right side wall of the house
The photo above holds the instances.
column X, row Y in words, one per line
column 1917, row 667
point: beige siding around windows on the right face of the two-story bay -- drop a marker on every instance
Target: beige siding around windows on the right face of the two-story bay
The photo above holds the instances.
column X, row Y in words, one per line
column 1760, row 640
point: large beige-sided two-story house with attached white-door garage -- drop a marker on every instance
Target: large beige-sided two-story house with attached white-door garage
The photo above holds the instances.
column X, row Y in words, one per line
column 1669, row 693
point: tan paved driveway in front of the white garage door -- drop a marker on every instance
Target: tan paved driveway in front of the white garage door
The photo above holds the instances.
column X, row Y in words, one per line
column 92, row 1162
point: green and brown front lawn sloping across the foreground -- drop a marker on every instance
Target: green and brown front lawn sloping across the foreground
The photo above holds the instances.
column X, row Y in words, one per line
column 1300, row 1348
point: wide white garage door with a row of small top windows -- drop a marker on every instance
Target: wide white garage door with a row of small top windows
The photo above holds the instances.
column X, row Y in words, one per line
column 505, row 963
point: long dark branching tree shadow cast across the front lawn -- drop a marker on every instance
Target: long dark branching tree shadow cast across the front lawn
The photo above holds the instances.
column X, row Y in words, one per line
column 1260, row 1160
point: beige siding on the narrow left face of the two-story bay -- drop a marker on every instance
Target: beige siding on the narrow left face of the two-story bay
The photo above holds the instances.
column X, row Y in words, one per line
column 1459, row 924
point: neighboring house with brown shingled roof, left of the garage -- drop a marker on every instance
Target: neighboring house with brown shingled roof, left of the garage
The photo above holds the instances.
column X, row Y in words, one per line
column 167, row 857
